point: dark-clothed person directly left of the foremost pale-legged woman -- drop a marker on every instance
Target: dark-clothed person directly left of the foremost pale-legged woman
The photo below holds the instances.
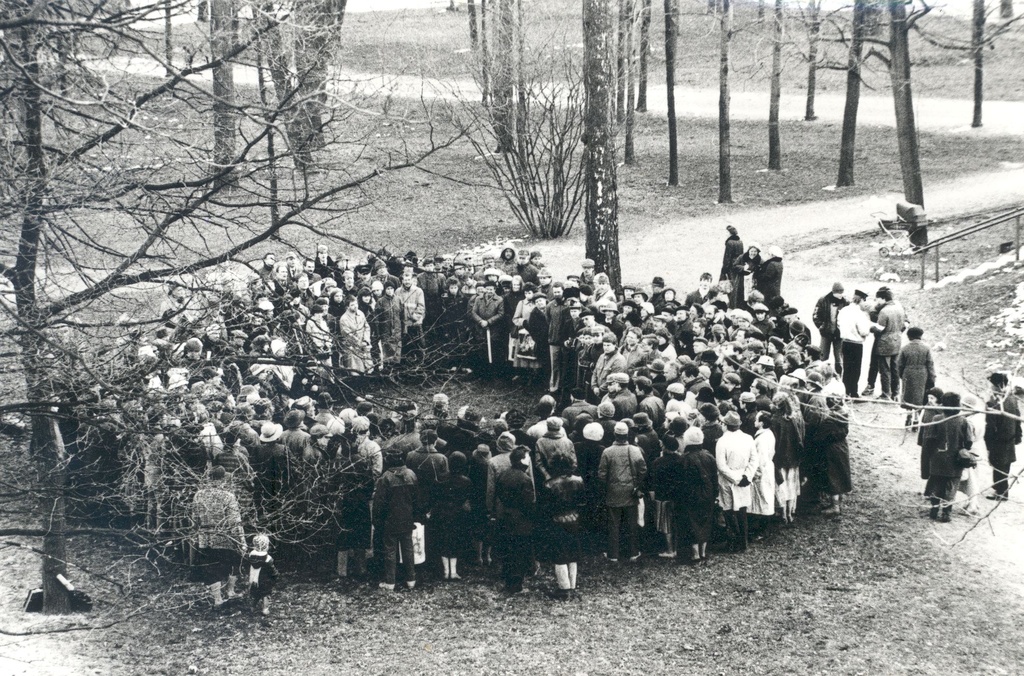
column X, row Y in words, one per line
column 516, row 501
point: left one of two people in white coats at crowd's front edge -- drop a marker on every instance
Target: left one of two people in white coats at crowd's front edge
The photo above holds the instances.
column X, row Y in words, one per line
column 737, row 456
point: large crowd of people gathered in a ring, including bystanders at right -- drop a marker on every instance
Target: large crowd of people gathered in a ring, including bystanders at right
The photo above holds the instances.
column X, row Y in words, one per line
column 670, row 419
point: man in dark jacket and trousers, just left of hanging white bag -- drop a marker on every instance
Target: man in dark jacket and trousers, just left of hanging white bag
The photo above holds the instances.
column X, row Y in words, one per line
column 393, row 518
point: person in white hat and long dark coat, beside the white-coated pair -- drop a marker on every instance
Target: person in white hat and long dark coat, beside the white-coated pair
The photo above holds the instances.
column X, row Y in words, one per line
column 695, row 500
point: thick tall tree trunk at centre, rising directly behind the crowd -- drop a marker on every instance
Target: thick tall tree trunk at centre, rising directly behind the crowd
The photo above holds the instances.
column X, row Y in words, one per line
column 602, row 214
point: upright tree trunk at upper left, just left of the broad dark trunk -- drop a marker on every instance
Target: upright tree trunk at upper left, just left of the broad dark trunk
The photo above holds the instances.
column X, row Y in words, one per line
column 225, row 111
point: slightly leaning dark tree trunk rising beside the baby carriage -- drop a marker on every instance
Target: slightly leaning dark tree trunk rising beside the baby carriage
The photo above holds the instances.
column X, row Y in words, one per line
column 907, row 131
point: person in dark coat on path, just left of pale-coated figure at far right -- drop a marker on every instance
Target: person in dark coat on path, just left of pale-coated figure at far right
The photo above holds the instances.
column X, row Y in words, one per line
column 948, row 464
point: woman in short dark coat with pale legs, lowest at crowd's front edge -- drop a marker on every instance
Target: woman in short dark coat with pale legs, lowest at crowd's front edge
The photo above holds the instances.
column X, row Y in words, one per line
column 559, row 536
